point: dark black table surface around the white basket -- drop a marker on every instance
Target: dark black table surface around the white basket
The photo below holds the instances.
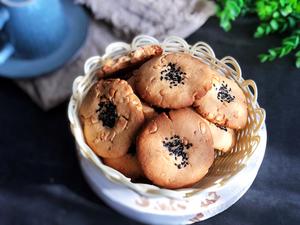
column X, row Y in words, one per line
column 41, row 182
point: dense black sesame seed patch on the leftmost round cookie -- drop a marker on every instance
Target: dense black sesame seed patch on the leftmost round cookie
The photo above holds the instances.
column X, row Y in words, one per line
column 107, row 113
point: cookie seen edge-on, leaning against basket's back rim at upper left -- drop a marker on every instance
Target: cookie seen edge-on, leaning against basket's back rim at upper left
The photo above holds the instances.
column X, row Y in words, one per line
column 137, row 56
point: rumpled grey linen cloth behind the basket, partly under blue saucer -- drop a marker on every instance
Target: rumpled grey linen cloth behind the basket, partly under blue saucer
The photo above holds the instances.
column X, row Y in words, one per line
column 118, row 20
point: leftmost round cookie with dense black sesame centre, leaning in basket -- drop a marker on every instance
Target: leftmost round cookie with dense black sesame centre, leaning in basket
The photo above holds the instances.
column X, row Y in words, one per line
column 111, row 115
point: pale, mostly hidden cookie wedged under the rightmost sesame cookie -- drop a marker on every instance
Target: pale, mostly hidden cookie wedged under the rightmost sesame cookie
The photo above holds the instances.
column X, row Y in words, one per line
column 224, row 138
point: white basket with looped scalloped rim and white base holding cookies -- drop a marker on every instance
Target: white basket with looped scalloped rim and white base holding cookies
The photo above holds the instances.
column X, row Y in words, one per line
column 221, row 188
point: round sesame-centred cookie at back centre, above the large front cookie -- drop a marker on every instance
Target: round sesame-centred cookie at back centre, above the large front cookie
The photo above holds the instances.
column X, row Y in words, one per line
column 173, row 81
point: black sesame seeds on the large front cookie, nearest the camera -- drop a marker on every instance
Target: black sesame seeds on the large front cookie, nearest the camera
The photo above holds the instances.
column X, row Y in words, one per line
column 177, row 148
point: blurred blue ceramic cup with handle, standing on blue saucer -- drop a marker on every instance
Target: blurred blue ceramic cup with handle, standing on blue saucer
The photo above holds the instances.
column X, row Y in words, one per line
column 31, row 28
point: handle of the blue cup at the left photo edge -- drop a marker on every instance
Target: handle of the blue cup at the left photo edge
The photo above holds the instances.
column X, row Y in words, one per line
column 7, row 50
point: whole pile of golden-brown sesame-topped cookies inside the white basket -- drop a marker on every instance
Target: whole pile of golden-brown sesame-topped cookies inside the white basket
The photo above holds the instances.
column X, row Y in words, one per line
column 161, row 116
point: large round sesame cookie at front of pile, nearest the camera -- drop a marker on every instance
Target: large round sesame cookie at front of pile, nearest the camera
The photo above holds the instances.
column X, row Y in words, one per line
column 175, row 150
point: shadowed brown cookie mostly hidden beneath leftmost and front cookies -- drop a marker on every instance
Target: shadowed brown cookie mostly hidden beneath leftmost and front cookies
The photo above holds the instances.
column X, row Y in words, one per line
column 127, row 164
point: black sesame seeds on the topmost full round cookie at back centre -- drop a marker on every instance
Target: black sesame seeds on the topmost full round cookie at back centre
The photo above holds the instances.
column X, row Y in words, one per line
column 173, row 75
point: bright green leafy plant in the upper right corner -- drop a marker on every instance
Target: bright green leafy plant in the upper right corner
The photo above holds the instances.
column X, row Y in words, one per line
column 276, row 16
